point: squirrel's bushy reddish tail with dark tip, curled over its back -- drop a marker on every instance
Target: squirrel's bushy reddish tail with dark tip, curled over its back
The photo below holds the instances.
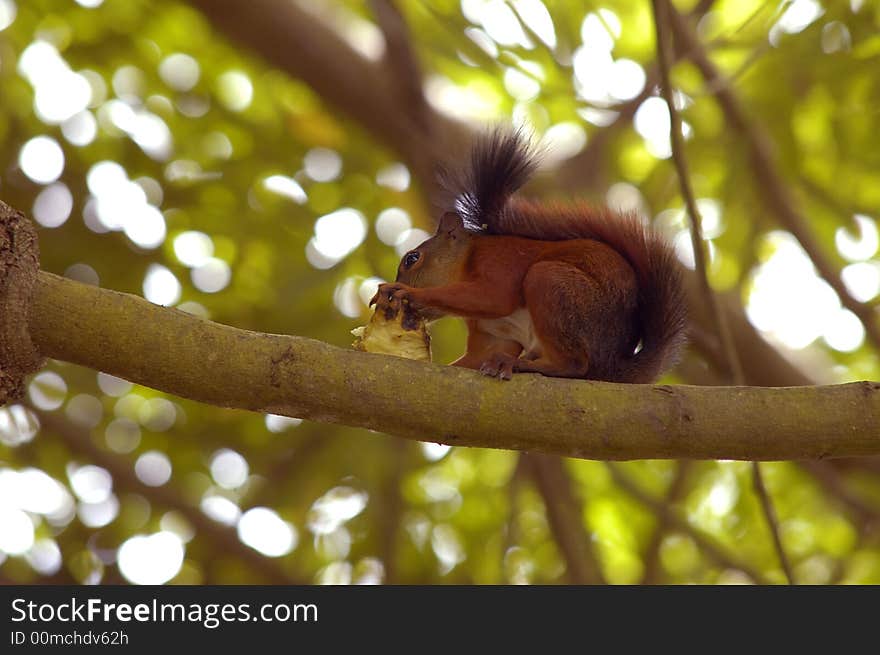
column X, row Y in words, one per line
column 501, row 162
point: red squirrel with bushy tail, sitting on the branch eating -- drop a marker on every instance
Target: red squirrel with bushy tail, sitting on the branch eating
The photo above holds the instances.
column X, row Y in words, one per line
column 565, row 290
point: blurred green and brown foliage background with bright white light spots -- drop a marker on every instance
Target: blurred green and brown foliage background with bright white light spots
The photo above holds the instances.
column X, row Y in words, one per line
column 270, row 180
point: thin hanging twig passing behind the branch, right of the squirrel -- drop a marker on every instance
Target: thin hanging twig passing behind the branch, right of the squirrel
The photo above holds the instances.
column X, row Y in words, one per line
column 661, row 14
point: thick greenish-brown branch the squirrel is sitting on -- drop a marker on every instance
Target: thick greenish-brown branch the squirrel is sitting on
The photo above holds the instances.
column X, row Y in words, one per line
column 184, row 355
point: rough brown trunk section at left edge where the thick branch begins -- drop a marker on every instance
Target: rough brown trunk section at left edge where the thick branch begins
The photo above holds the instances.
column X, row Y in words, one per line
column 19, row 265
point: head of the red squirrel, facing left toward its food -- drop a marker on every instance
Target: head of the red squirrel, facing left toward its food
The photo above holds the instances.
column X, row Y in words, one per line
column 440, row 259
